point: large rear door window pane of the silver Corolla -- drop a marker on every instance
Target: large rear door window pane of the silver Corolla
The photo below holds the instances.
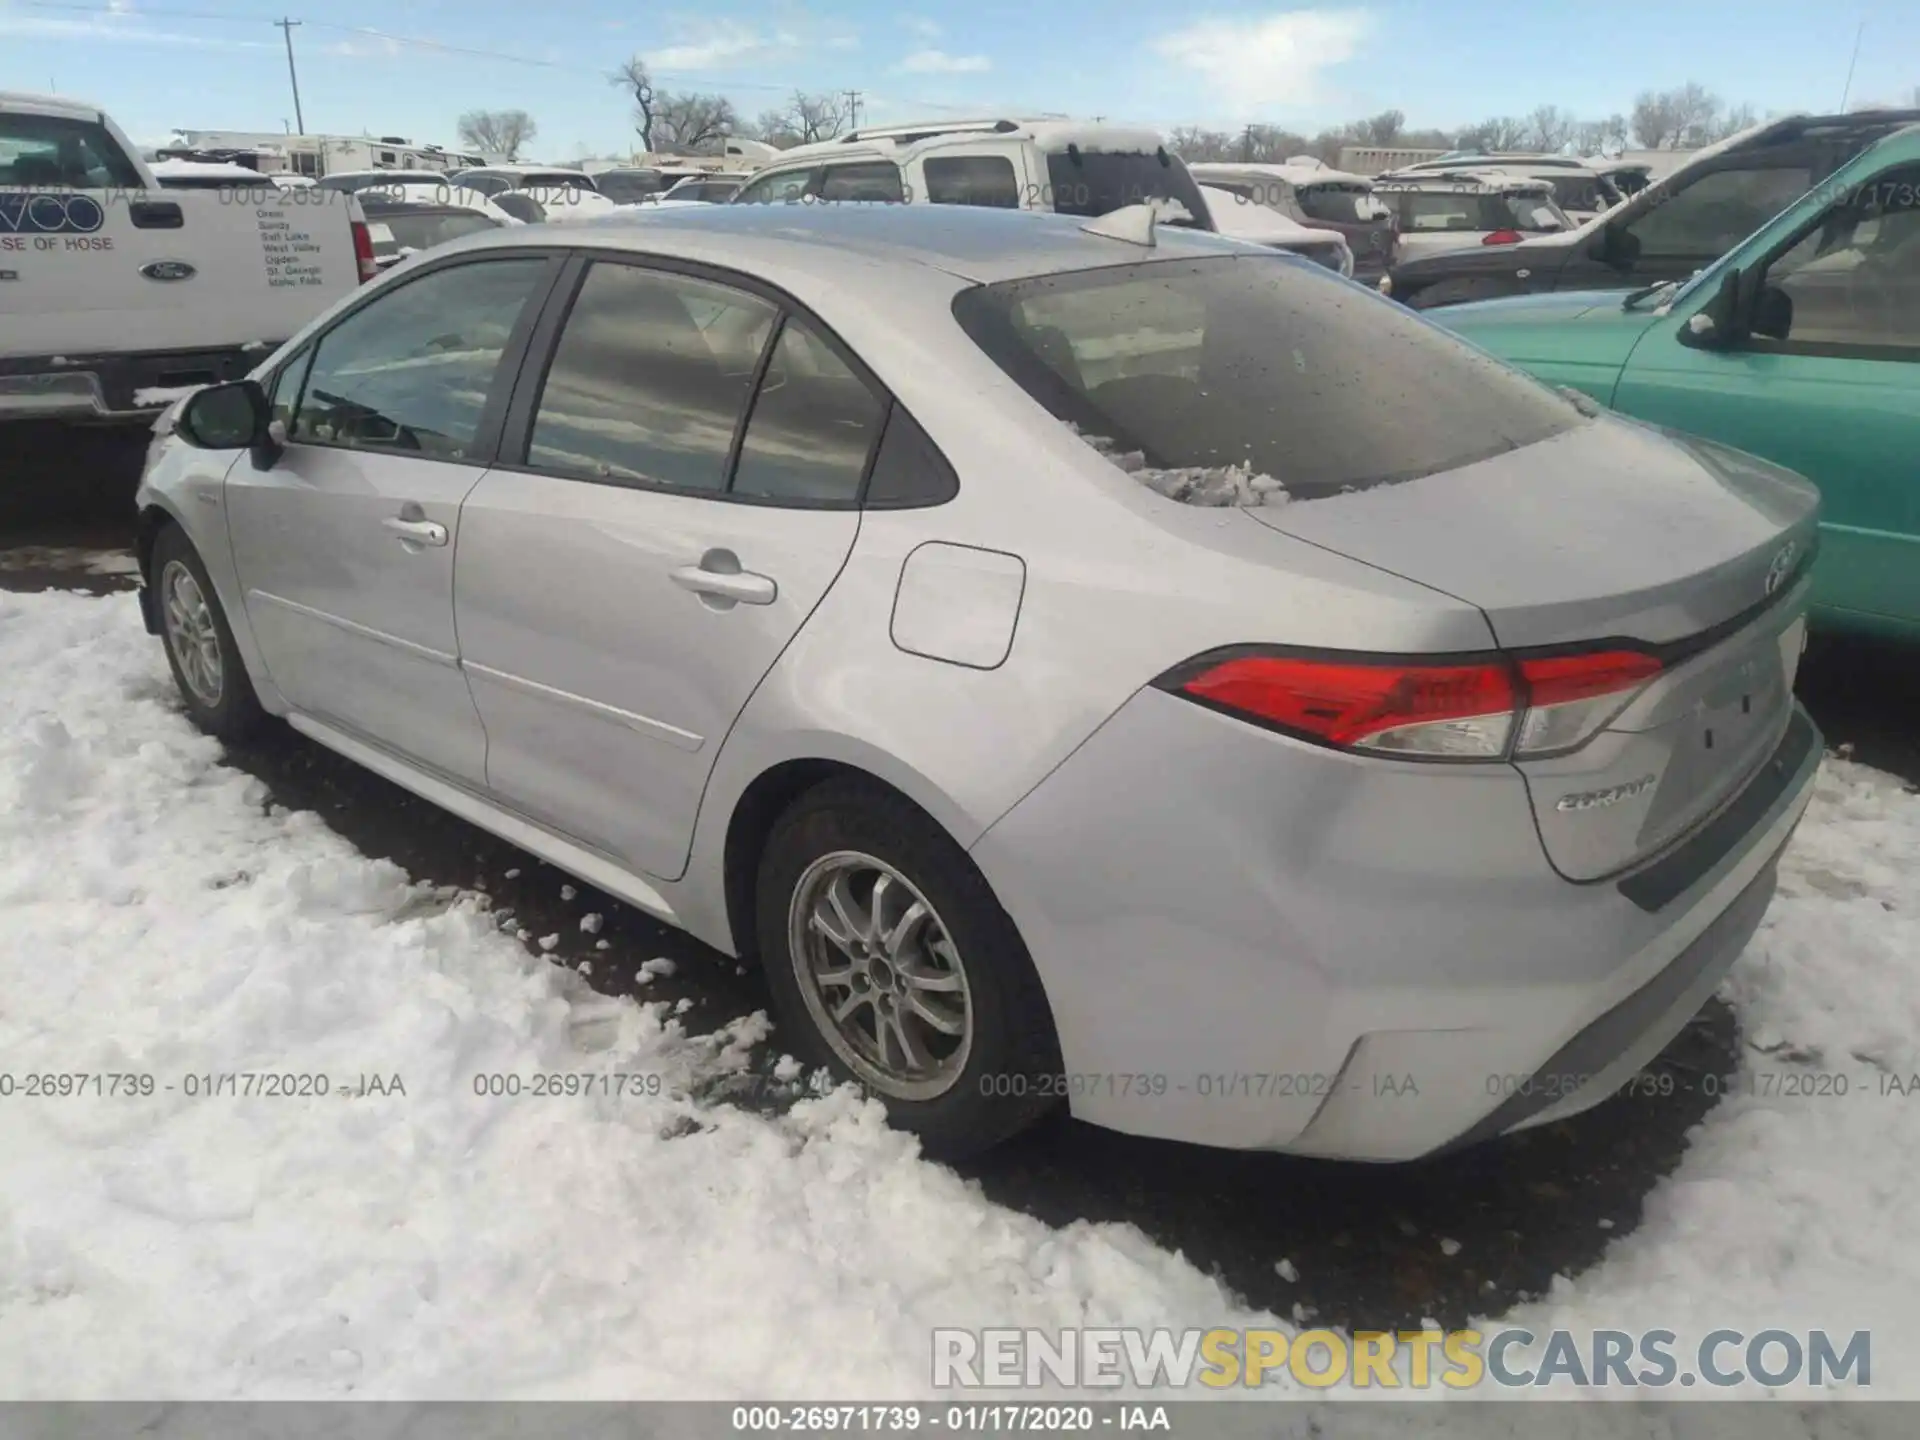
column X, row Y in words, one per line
column 650, row 379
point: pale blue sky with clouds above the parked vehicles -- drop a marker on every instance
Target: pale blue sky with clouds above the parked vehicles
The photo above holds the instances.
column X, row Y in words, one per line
column 410, row 66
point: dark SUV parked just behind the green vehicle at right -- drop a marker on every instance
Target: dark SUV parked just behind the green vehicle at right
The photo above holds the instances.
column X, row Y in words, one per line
column 1677, row 226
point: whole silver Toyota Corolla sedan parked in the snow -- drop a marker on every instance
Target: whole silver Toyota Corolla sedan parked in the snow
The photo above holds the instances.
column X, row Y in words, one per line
column 1082, row 665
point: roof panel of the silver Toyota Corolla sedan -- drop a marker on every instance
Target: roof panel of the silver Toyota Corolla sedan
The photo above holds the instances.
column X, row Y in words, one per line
column 971, row 243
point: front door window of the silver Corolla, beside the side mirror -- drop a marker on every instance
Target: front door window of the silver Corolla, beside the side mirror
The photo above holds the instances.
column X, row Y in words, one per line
column 412, row 370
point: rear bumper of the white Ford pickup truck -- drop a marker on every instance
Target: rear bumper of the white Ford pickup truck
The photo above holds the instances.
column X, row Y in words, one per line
column 114, row 387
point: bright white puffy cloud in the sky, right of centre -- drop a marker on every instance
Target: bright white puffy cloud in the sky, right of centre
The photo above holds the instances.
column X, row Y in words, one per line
column 1270, row 62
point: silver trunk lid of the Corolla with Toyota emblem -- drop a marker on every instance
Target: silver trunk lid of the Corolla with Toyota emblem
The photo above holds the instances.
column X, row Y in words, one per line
column 1616, row 537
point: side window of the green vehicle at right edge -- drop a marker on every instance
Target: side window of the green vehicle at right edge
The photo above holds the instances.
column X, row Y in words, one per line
column 1854, row 281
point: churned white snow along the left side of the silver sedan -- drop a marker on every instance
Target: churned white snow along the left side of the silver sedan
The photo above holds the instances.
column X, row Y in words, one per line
column 156, row 919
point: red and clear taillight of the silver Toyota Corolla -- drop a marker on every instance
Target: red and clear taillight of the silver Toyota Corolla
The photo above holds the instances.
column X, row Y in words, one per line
column 1468, row 709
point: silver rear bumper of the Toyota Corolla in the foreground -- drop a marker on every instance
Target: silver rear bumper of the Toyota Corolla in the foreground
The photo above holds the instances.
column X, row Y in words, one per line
column 1259, row 944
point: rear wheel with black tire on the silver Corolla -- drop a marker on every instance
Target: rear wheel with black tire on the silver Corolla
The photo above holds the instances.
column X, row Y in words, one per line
column 959, row 963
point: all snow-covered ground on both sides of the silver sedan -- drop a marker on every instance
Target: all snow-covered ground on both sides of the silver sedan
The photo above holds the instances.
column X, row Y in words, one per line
column 158, row 917
